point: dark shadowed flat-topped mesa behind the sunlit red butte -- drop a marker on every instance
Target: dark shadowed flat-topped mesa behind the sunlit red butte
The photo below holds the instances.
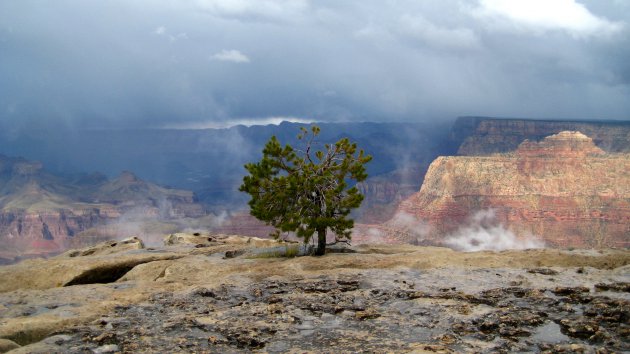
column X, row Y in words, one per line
column 484, row 136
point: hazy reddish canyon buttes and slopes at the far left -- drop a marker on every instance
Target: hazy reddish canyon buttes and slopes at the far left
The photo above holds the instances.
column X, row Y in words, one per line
column 43, row 213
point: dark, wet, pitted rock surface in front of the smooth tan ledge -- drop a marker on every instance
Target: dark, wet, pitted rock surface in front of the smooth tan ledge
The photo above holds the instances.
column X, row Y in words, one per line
column 368, row 311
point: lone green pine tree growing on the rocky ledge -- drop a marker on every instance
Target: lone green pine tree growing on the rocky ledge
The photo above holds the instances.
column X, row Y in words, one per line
column 307, row 191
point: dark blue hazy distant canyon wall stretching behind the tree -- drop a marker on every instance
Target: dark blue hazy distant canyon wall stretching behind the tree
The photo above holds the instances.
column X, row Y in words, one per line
column 210, row 162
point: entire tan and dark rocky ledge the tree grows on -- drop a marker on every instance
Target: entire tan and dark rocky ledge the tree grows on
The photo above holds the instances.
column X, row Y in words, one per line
column 218, row 293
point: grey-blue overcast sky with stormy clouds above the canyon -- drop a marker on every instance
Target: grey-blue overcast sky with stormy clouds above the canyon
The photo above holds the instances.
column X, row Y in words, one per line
column 201, row 63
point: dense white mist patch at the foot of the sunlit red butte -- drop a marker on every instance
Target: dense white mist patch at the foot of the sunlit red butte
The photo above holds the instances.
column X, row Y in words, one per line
column 484, row 233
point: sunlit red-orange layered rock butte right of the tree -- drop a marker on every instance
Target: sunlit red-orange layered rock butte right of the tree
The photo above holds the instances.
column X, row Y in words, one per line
column 563, row 190
